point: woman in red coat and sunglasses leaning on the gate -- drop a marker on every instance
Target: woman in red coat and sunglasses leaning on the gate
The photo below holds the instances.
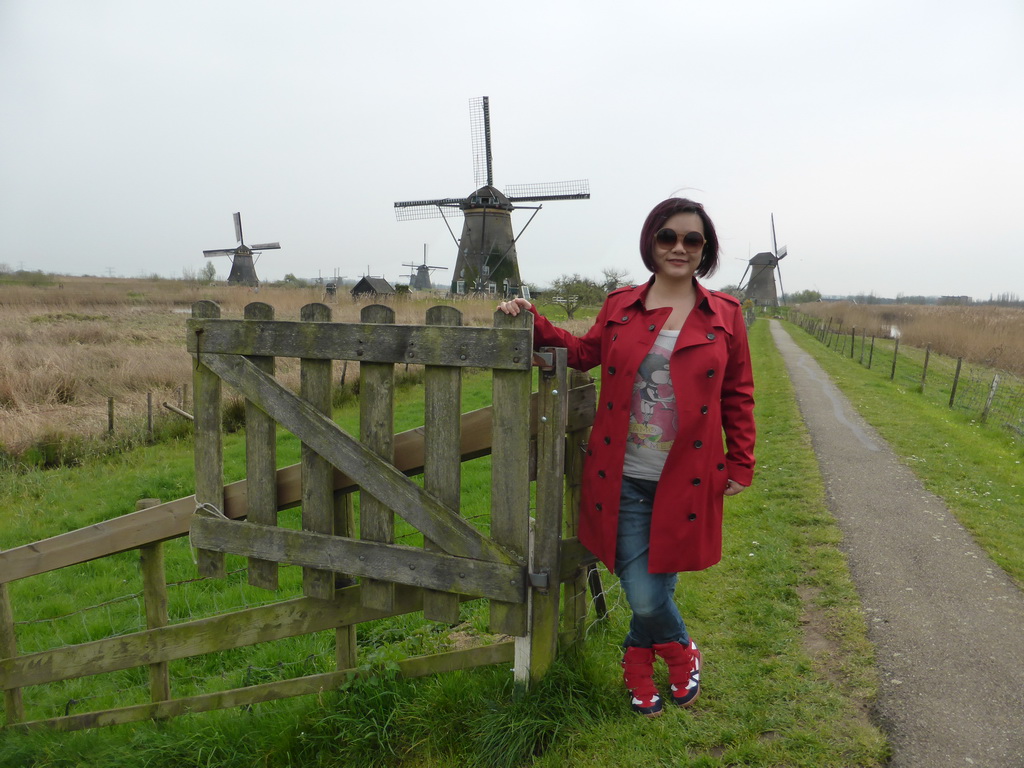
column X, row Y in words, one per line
column 675, row 377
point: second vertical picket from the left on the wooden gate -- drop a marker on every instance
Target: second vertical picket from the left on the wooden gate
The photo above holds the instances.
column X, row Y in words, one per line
column 262, row 460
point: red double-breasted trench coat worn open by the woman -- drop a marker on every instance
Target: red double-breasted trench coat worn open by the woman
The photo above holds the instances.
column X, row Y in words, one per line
column 711, row 374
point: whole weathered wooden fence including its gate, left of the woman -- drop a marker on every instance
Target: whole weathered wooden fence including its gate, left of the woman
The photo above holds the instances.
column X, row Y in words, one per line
column 352, row 573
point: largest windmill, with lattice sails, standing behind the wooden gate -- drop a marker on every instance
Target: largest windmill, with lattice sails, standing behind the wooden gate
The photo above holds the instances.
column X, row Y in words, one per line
column 488, row 261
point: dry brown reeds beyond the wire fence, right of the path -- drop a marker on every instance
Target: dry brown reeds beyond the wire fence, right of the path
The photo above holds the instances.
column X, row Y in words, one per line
column 985, row 335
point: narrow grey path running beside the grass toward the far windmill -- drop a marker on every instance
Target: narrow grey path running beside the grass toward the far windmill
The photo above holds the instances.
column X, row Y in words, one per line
column 947, row 622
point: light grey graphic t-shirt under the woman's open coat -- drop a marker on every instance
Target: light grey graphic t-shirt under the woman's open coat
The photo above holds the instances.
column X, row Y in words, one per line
column 653, row 413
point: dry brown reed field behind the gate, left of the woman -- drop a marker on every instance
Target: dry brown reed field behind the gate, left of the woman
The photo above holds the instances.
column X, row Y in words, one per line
column 67, row 348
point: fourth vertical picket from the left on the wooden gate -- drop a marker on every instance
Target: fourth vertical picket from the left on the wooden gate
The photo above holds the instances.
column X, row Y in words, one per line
column 377, row 435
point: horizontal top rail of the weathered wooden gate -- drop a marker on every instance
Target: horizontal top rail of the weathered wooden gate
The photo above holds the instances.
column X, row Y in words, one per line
column 368, row 343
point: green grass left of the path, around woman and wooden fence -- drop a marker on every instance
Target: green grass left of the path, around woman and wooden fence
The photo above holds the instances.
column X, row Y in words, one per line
column 770, row 700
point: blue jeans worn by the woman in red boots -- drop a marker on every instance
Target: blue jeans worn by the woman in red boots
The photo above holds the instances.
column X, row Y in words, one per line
column 652, row 596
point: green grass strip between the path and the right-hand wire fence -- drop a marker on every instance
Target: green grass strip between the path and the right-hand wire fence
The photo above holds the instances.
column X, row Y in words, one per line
column 977, row 470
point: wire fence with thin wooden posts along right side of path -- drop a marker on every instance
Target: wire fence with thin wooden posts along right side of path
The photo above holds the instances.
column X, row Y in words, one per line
column 987, row 395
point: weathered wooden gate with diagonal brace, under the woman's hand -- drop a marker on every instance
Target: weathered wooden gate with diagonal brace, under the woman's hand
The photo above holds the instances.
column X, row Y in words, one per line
column 519, row 567
